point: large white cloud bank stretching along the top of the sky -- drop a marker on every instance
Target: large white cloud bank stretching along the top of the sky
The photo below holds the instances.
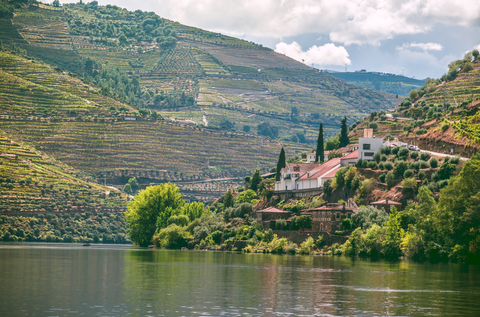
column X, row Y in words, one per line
column 346, row 21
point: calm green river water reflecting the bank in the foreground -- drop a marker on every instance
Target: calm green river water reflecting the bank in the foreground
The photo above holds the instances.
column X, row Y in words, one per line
column 71, row 280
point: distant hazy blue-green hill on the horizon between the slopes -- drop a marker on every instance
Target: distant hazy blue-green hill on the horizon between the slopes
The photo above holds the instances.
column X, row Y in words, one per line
column 390, row 83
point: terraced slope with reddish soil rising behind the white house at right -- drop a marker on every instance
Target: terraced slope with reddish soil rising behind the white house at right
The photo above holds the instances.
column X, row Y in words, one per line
column 441, row 116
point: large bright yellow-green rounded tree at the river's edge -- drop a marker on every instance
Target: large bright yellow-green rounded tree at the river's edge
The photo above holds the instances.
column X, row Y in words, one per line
column 150, row 210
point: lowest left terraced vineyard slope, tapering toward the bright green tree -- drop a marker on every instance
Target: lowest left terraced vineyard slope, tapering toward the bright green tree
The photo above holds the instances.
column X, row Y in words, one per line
column 31, row 182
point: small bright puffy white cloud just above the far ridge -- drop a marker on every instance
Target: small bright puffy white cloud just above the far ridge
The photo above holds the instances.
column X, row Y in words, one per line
column 328, row 54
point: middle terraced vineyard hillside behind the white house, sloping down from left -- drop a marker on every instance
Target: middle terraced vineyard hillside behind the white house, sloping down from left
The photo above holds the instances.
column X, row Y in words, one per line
column 73, row 122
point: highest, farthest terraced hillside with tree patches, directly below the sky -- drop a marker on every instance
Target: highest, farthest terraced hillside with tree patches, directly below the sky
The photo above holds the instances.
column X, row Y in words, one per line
column 190, row 70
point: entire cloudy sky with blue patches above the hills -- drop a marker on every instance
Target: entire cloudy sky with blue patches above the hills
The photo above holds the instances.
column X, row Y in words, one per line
column 418, row 37
